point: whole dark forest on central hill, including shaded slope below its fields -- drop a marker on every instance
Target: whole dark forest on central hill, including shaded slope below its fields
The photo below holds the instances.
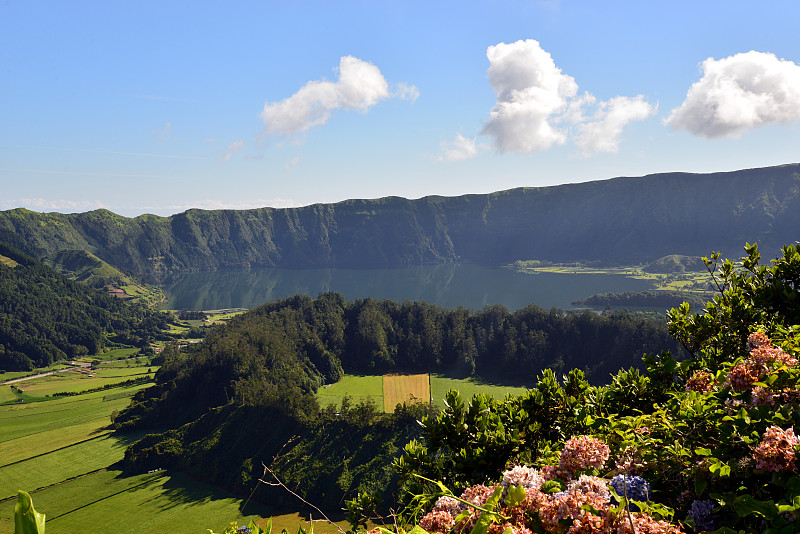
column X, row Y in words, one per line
column 236, row 399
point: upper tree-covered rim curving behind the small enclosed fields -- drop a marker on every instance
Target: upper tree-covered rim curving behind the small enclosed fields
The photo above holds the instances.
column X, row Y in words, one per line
column 280, row 353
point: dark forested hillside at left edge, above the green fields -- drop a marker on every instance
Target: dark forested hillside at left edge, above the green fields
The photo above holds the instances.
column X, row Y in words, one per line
column 44, row 317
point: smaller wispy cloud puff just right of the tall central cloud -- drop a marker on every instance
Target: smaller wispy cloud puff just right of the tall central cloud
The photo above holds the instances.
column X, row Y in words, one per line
column 602, row 132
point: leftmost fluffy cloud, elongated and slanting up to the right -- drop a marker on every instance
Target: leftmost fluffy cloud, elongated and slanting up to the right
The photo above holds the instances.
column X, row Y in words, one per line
column 360, row 86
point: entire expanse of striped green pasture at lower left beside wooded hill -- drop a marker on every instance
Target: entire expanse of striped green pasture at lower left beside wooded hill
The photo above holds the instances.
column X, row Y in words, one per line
column 64, row 447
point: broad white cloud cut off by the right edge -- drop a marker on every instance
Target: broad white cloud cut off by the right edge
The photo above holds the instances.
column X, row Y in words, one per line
column 738, row 93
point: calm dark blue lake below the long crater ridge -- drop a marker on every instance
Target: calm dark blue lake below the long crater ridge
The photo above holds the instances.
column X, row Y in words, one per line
column 471, row 286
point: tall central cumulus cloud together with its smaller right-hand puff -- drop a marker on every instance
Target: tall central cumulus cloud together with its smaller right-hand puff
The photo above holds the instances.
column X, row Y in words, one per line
column 538, row 106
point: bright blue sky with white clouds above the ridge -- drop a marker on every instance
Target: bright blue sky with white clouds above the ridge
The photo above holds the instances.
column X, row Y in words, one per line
column 157, row 107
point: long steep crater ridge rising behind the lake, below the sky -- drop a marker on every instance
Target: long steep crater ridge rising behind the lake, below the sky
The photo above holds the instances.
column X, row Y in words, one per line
column 686, row 214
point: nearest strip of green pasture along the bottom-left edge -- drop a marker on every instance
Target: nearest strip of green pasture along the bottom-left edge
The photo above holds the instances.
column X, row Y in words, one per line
column 157, row 502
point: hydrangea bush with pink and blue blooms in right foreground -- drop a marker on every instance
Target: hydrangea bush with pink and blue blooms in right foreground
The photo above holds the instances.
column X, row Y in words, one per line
column 688, row 446
